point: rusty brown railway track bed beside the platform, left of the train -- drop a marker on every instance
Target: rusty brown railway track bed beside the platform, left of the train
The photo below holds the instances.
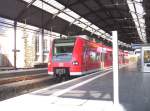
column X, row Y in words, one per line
column 14, row 86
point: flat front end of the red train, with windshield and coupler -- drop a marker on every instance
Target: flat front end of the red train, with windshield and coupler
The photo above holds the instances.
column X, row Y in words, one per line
column 62, row 59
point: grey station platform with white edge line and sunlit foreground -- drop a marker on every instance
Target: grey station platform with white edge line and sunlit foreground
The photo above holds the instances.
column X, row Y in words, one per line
column 88, row 93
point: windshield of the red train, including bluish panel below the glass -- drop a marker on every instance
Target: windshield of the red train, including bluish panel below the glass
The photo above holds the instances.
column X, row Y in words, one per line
column 63, row 49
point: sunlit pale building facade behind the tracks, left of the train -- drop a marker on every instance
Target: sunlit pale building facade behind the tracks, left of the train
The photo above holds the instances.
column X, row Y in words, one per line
column 31, row 47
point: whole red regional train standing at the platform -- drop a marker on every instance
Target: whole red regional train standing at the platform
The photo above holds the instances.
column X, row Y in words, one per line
column 79, row 55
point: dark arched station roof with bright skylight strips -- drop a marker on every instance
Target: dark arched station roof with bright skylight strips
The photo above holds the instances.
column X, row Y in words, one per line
column 77, row 17
